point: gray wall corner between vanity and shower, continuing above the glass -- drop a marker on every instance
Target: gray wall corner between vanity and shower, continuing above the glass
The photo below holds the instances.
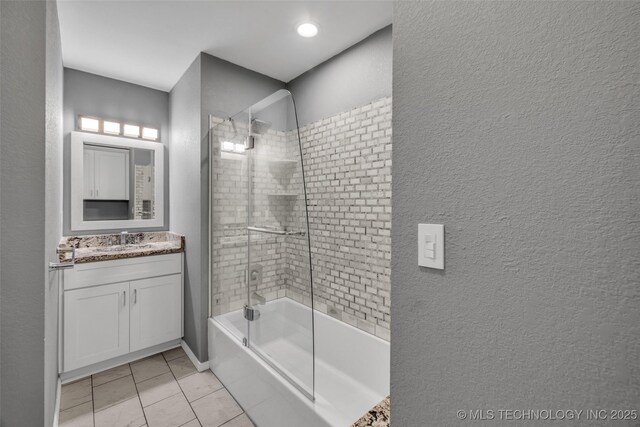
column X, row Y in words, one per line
column 210, row 86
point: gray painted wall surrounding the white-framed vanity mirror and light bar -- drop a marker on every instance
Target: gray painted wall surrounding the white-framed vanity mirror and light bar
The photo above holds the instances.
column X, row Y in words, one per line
column 90, row 94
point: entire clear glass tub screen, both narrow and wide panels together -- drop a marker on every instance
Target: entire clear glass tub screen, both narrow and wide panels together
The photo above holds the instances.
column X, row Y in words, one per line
column 259, row 237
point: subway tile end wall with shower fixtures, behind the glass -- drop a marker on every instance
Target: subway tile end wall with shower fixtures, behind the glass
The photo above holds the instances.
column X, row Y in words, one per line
column 230, row 201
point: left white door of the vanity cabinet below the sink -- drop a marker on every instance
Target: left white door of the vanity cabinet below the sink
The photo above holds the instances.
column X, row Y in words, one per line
column 96, row 324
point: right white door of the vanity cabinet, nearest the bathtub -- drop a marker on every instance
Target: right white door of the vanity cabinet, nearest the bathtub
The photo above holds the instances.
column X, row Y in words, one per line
column 156, row 311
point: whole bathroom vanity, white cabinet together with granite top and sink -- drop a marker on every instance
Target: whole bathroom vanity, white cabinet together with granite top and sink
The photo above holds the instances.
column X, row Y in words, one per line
column 121, row 300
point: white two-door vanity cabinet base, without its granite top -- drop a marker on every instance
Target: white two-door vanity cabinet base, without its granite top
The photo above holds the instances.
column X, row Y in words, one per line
column 113, row 308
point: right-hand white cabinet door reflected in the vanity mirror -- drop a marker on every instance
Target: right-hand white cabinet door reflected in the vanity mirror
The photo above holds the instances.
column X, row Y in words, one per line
column 111, row 174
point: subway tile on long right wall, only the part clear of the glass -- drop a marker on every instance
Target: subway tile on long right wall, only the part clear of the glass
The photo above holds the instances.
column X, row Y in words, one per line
column 347, row 160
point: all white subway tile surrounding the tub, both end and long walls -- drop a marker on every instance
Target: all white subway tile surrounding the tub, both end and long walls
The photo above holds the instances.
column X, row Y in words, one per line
column 347, row 160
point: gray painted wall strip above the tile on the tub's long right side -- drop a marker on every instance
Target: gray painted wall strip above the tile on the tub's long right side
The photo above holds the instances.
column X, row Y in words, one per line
column 354, row 77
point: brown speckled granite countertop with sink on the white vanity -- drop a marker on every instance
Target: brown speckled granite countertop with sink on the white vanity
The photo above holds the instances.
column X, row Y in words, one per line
column 103, row 247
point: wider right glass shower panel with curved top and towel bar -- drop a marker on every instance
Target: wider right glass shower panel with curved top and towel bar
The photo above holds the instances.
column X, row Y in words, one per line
column 280, row 307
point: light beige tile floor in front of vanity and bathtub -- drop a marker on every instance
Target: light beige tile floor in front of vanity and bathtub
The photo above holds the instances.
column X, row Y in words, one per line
column 164, row 390
